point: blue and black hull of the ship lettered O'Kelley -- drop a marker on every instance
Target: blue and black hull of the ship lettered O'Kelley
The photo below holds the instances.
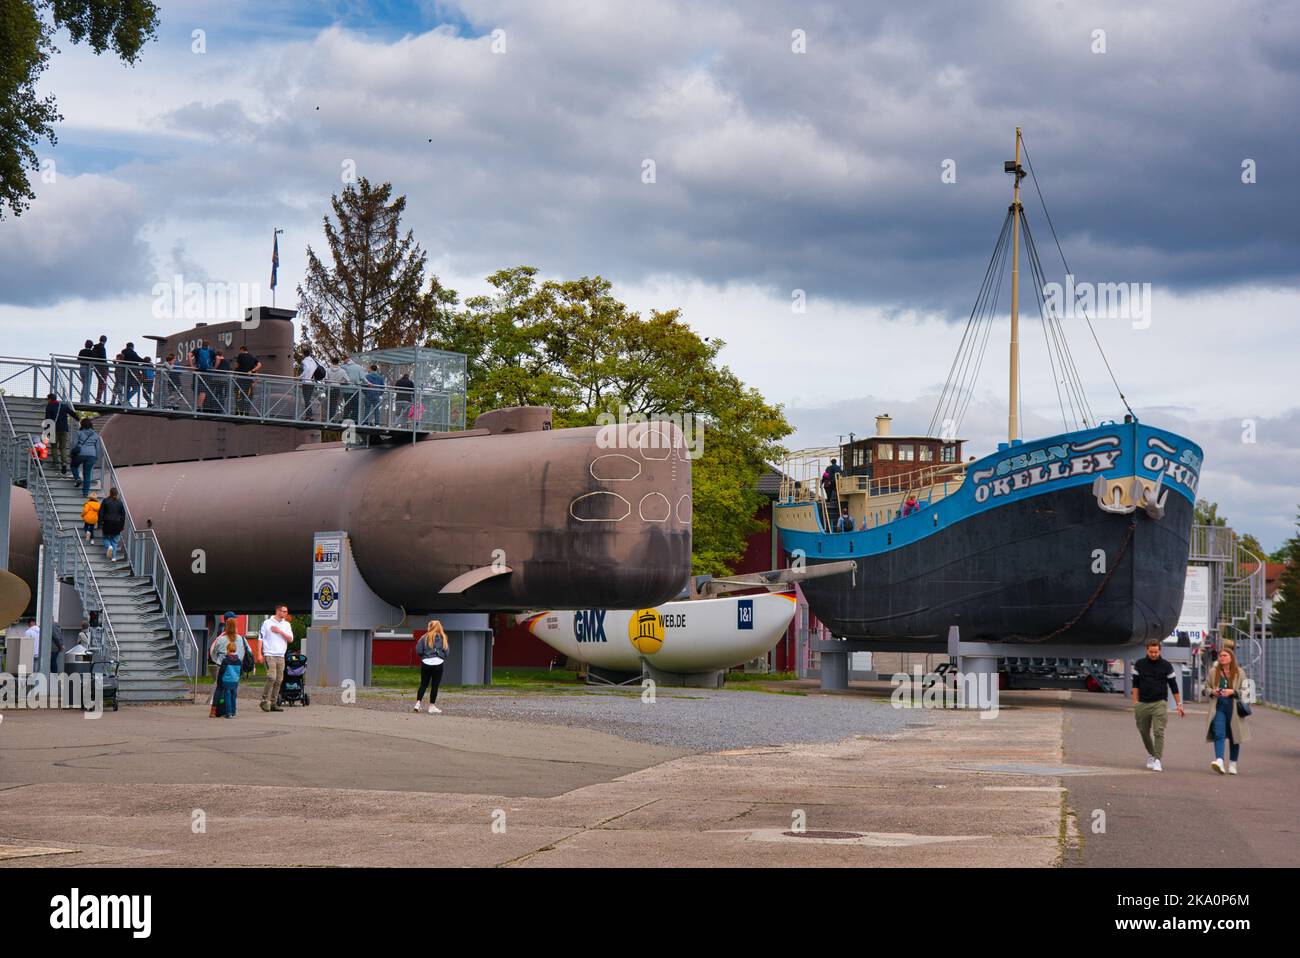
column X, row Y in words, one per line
column 1025, row 552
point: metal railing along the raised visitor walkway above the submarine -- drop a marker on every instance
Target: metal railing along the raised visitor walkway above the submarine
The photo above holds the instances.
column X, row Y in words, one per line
column 184, row 392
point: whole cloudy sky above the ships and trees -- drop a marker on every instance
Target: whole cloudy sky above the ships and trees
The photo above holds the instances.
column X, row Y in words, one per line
column 795, row 148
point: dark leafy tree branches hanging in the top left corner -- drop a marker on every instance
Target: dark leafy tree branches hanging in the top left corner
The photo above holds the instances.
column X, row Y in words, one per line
column 27, row 41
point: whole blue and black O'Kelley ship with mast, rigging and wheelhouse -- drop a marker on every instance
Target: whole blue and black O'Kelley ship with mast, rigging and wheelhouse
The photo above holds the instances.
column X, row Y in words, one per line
column 1078, row 539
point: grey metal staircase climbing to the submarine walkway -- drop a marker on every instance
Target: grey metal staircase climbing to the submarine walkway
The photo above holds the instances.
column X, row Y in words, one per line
column 142, row 622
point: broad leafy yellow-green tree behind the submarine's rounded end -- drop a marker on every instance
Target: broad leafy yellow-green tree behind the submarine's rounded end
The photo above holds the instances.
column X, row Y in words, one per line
column 575, row 348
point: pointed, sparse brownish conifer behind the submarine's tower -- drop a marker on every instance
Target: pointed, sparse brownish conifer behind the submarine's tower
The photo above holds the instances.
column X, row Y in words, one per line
column 372, row 297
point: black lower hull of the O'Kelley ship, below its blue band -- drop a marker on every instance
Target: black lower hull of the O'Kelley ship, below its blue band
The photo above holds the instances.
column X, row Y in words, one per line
column 1024, row 575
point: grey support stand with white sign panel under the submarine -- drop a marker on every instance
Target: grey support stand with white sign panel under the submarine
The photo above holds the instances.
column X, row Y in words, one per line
column 346, row 613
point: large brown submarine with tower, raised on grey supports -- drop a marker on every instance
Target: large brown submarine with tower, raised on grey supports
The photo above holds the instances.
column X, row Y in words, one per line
column 508, row 515
